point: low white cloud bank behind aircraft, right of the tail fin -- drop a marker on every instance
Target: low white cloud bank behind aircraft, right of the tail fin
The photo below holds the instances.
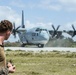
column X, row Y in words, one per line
column 67, row 26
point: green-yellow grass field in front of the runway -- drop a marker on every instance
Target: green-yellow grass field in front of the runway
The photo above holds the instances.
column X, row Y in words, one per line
column 43, row 63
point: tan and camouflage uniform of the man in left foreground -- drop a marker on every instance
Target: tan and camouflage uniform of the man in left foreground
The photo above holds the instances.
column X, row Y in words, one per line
column 3, row 68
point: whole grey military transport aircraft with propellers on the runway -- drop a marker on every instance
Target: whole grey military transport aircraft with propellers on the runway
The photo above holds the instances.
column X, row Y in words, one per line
column 38, row 36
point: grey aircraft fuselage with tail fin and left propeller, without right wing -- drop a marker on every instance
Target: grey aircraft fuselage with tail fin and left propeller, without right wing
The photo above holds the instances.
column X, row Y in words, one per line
column 36, row 36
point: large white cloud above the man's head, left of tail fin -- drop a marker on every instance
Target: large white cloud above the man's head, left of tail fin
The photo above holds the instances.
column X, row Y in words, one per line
column 9, row 14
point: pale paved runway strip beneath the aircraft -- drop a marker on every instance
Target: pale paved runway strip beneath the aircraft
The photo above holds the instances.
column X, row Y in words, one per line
column 44, row 49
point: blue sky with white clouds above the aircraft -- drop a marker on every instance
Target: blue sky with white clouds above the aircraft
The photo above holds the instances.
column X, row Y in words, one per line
column 39, row 13
